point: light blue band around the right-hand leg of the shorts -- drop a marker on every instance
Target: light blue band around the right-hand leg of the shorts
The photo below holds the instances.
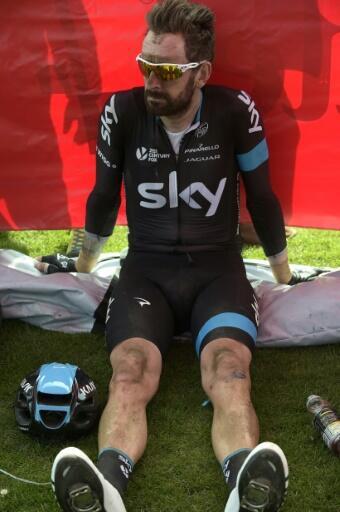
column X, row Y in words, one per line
column 226, row 320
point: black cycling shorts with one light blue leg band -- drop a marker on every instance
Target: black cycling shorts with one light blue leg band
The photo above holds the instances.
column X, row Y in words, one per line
column 161, row 295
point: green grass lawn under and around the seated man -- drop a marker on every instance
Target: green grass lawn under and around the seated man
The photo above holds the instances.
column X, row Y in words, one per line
column 178, row 471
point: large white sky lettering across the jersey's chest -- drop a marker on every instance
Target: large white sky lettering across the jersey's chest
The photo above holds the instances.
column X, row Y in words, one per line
column 156, row 200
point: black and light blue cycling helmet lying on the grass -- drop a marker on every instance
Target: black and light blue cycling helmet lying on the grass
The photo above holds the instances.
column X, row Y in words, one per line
column 57, row 400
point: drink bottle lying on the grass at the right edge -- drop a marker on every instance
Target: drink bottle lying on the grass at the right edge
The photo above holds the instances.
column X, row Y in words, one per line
column 326, row 421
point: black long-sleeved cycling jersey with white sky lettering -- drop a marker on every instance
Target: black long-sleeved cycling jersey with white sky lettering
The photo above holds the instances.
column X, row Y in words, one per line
column 189, row 202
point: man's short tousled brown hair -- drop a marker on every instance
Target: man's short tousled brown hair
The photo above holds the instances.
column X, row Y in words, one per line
column 194, row 21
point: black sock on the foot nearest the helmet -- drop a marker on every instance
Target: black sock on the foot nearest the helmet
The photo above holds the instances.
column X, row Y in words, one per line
column 116, row 467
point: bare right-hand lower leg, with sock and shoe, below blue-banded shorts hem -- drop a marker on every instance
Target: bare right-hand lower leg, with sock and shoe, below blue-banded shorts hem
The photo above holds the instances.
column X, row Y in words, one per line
column 256, row 475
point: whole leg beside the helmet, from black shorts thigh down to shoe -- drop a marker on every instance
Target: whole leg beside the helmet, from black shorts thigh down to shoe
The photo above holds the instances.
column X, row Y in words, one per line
column 137, row 312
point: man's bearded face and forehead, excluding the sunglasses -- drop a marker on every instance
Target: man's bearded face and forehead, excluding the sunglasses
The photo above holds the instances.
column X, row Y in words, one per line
column 173, row 97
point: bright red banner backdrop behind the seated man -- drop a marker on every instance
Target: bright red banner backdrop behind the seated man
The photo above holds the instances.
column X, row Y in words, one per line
column 60, row 59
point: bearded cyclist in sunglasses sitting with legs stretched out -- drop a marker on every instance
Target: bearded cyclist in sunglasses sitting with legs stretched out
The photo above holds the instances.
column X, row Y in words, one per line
column 180, row 146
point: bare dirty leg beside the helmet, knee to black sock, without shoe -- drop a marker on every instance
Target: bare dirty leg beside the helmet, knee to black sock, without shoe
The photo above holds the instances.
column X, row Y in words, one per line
column 136, row 368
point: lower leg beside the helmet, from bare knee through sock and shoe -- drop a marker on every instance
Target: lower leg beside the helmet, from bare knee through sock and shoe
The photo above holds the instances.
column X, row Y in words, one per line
column 79, row 485
